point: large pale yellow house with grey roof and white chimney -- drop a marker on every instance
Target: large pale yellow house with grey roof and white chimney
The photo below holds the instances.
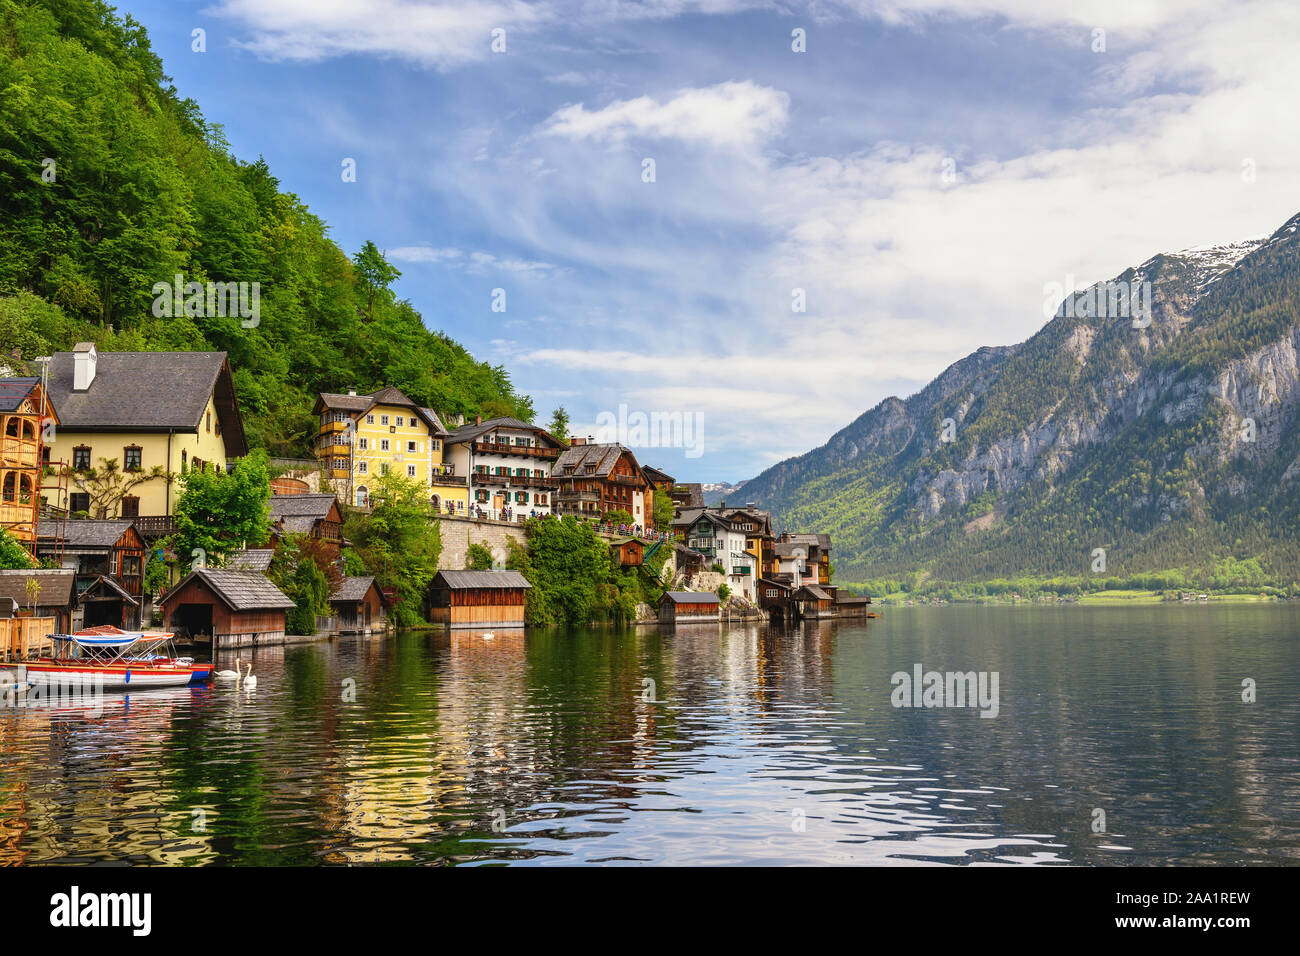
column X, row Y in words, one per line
column 146, row 412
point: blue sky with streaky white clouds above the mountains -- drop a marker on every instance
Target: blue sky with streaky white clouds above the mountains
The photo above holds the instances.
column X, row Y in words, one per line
column 759, row 219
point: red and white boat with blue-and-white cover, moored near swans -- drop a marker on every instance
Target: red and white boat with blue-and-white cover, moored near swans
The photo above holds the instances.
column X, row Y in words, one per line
column 109, row 659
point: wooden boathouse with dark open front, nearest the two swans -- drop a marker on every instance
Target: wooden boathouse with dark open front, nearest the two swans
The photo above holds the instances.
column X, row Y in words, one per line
column 233, row 608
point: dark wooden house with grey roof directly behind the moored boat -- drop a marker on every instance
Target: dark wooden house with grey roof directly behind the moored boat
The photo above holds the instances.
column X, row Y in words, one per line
column 109, row 560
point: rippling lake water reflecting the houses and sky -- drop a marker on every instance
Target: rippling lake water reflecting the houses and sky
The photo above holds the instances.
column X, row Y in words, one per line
column 760, row 746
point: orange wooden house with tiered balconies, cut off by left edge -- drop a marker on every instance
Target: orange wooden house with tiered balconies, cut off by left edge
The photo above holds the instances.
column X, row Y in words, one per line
column 25, row 413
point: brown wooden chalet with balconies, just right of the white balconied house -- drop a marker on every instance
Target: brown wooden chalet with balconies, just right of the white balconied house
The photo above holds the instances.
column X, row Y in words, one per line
column 593, row 479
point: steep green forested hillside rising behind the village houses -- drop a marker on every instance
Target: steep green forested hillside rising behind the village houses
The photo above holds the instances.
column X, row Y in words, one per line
column 111, row 181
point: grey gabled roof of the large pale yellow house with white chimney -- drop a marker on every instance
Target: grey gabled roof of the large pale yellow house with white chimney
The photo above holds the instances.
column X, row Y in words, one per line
column 149, row 392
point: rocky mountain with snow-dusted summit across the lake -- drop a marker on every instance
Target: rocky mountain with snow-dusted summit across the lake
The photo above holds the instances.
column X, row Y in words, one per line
column 1090, row 435
